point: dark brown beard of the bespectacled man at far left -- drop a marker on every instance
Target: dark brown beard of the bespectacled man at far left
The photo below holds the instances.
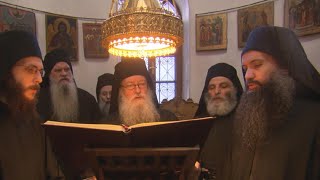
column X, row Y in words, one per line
column 19, row 105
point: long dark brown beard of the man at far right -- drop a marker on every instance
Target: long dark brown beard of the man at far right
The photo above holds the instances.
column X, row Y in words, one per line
column 264, row 109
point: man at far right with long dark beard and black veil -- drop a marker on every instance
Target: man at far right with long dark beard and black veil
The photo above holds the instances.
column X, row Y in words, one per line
column 277, row 123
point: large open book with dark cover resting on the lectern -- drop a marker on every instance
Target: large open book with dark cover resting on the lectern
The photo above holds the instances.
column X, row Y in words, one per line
column 179, row 133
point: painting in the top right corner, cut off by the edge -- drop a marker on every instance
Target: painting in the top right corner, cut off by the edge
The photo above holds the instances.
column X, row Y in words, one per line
column 302, row 16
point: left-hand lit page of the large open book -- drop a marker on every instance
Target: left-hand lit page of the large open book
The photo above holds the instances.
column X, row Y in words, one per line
column 86, row 126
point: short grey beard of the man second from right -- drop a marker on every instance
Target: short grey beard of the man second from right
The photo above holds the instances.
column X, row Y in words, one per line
column 221, row 108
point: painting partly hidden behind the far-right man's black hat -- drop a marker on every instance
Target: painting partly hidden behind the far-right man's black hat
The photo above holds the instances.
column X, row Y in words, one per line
column 252, row 17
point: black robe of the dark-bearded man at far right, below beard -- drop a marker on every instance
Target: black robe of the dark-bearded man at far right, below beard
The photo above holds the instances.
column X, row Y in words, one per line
column 292, row 152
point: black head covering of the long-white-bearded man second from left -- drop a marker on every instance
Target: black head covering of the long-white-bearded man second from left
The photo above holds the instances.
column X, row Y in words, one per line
column 51, row 59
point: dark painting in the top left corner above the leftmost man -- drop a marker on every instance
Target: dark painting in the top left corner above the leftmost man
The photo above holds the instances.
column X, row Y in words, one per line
column 17, row 19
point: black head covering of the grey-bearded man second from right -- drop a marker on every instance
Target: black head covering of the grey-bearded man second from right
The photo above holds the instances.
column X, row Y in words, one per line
column 220, row 69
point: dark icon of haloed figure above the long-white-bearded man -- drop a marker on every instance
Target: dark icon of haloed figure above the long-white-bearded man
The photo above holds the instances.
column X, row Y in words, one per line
column 62, row 32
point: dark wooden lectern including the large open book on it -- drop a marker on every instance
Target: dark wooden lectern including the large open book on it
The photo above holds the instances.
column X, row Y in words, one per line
column 158, row 150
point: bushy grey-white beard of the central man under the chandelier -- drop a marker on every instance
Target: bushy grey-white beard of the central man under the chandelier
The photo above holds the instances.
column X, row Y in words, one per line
column 134, row 111
